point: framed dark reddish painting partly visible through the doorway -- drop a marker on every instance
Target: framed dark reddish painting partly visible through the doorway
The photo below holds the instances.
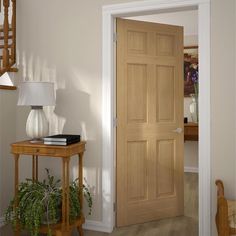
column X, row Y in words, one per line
column 190, row 70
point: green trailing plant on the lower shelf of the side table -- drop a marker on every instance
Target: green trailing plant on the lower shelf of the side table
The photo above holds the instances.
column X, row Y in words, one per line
column 40, row 203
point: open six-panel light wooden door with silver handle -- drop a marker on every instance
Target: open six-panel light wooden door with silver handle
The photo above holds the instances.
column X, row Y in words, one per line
column 149, row 122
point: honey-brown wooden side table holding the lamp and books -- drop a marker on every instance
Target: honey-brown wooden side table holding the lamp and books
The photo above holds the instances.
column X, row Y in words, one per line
column 36, row 150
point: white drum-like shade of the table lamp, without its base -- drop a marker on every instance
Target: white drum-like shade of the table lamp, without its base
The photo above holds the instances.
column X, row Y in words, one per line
column 36, row 94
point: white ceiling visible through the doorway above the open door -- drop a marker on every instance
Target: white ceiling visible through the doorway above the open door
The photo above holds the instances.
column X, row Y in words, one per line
column 187, row 19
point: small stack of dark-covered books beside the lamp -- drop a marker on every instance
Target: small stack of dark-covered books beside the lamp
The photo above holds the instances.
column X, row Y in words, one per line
column 61, row 139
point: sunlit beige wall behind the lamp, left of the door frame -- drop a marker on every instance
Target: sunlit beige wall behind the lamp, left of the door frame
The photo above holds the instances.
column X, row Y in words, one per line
column 60, row 41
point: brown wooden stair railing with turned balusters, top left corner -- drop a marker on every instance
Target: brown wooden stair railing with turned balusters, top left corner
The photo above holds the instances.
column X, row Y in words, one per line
column 8, row 37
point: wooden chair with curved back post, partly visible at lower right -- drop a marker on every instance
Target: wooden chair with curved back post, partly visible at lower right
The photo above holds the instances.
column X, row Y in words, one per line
column 226, row 213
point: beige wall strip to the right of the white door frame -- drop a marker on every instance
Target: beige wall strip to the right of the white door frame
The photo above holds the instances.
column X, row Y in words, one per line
column 223, row 45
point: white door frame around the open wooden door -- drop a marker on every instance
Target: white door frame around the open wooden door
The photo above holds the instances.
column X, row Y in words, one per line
column 110, row 13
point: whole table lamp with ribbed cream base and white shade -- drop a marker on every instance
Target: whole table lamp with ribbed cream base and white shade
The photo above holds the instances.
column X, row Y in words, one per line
column 36, row 95
